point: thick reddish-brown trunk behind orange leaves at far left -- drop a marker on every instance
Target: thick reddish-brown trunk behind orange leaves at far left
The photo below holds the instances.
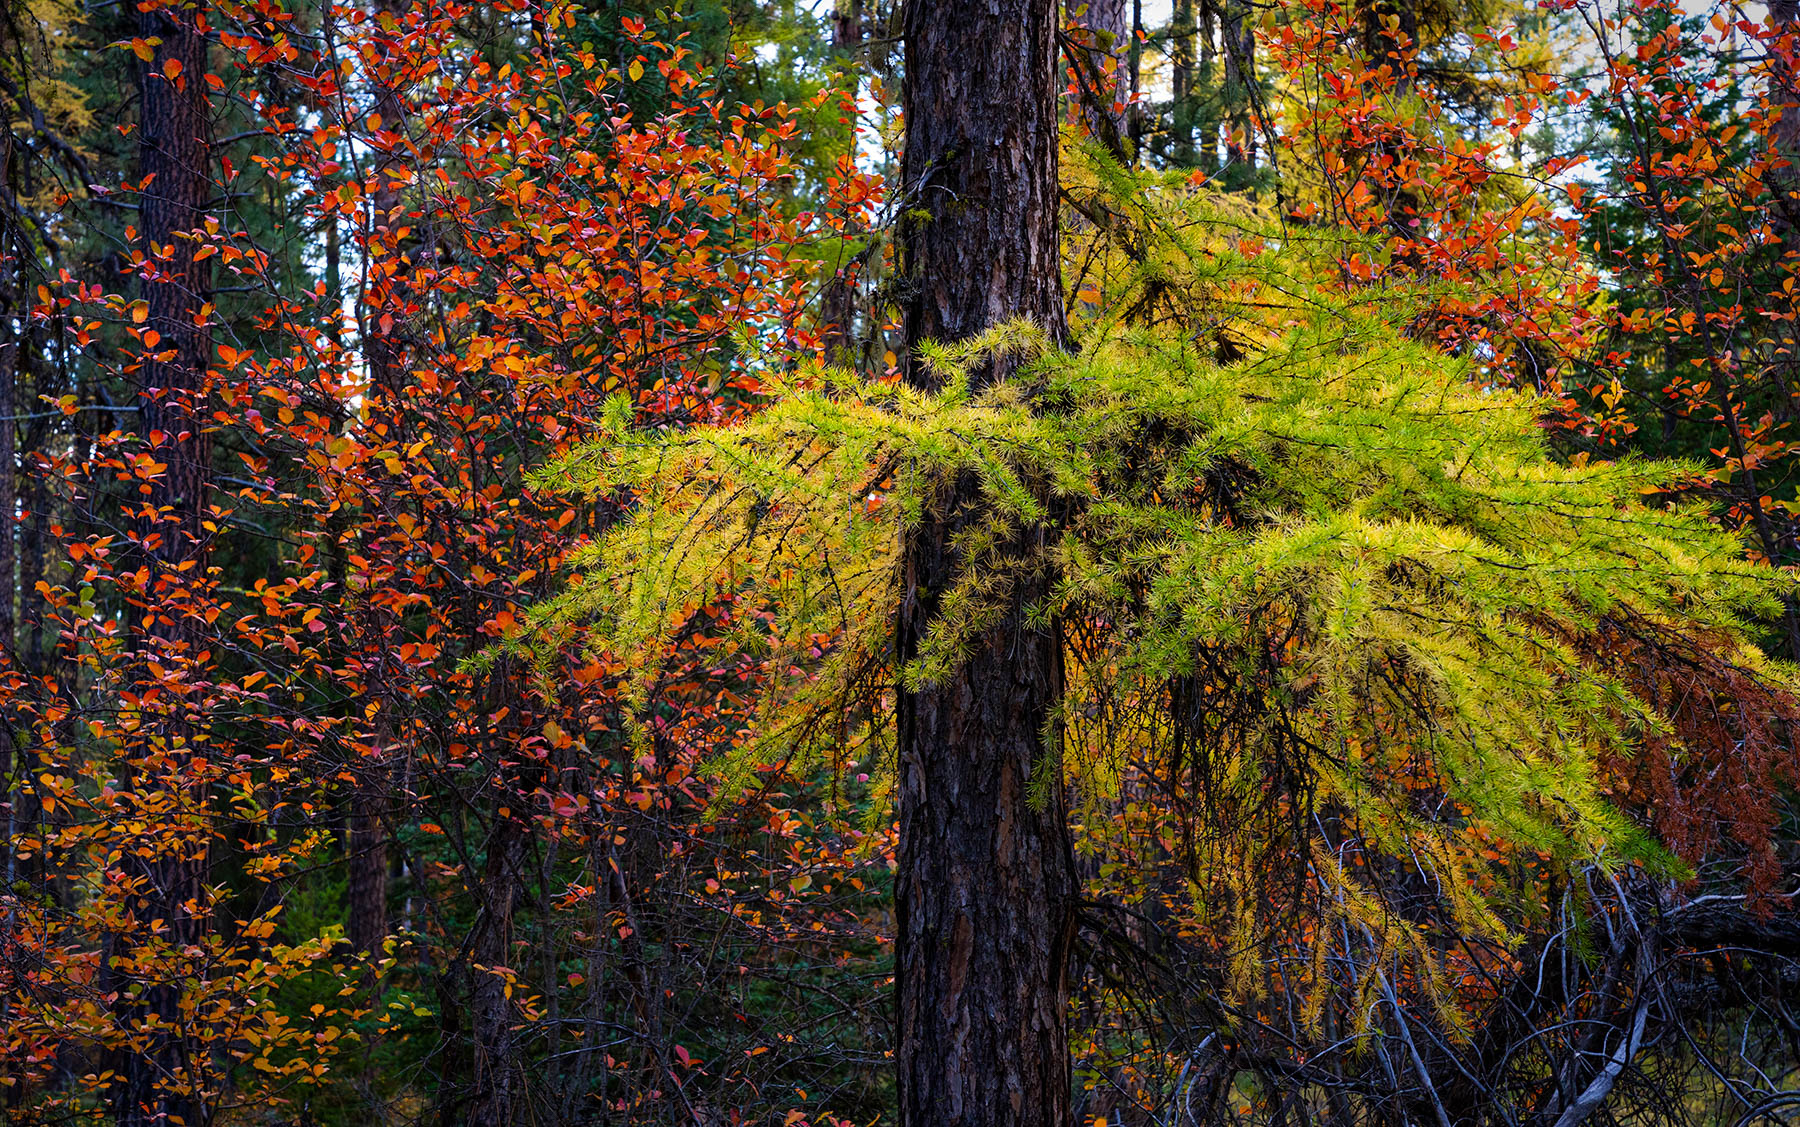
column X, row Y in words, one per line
column 174, row 159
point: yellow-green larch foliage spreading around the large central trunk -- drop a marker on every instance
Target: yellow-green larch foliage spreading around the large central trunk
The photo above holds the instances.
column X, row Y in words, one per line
column 1338, row 586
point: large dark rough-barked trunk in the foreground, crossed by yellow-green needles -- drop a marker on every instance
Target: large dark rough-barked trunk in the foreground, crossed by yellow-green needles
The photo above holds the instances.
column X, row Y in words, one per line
column 985, row 879
